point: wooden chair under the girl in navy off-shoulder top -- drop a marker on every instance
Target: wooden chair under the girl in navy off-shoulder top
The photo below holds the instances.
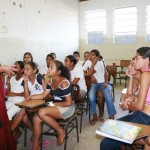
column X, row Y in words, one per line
column 68, row 125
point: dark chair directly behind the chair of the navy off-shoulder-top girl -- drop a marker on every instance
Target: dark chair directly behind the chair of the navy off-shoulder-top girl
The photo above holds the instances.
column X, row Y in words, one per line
column 81, row 104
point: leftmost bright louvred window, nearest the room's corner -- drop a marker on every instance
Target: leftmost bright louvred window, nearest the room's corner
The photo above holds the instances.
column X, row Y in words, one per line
column 96, row 26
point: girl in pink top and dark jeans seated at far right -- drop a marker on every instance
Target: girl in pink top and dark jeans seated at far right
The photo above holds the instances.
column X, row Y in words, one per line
column 140, row 104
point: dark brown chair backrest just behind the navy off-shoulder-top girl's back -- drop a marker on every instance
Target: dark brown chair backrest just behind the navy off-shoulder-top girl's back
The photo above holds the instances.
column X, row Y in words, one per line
column 75, row 91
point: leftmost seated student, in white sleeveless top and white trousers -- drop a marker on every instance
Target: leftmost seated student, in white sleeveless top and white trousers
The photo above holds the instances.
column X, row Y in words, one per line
column 15, row 90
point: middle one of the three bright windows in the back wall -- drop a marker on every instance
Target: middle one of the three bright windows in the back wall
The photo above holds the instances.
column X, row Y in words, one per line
column 125, row 25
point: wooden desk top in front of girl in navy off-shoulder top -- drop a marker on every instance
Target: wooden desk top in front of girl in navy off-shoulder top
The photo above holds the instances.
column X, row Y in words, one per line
column 31, row 104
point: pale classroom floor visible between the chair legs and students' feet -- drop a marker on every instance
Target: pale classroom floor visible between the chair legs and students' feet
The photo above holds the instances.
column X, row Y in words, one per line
column 88, row 139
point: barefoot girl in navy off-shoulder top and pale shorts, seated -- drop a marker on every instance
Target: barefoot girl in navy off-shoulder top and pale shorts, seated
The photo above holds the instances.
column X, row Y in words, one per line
column 62, row 106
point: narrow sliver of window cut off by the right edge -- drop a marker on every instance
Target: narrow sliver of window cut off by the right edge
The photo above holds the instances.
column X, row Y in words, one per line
column 148, row 23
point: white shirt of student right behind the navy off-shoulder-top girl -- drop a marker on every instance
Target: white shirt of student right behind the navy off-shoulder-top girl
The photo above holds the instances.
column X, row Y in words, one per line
column 77, row 72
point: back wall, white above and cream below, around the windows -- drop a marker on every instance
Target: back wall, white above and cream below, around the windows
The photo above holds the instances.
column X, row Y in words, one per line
column 113, row 52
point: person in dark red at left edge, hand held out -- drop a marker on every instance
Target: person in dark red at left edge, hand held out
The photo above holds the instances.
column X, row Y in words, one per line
column 7, row 141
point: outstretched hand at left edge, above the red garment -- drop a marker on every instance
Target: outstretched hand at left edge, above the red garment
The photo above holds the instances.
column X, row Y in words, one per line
column 9, row 70
